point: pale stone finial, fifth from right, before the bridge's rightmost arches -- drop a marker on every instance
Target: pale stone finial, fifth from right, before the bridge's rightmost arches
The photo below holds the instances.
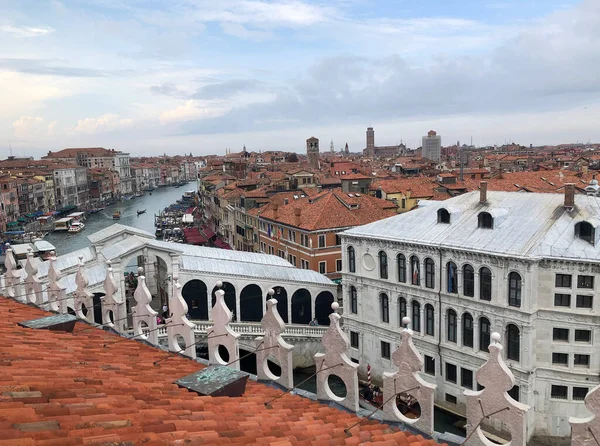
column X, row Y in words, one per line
column 274, row 346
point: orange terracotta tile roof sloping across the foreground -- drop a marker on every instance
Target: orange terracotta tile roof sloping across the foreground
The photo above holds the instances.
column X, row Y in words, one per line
column 62, row 389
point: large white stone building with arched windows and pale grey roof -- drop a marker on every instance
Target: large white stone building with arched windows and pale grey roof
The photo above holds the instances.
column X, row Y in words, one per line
column 525, row 265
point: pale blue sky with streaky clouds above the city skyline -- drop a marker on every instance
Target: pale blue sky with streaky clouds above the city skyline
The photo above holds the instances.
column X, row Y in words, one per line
column 195, row 76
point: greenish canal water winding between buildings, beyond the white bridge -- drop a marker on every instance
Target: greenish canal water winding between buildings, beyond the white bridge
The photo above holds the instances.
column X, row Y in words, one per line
column 153, row 204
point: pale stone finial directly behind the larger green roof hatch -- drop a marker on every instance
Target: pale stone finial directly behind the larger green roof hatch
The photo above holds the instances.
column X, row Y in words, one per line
column 221, row 334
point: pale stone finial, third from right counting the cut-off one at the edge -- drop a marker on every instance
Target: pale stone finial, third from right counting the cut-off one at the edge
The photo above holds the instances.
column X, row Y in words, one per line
column 407, row 383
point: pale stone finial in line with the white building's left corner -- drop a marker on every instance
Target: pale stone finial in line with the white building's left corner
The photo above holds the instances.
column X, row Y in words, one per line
column 335, row 361
